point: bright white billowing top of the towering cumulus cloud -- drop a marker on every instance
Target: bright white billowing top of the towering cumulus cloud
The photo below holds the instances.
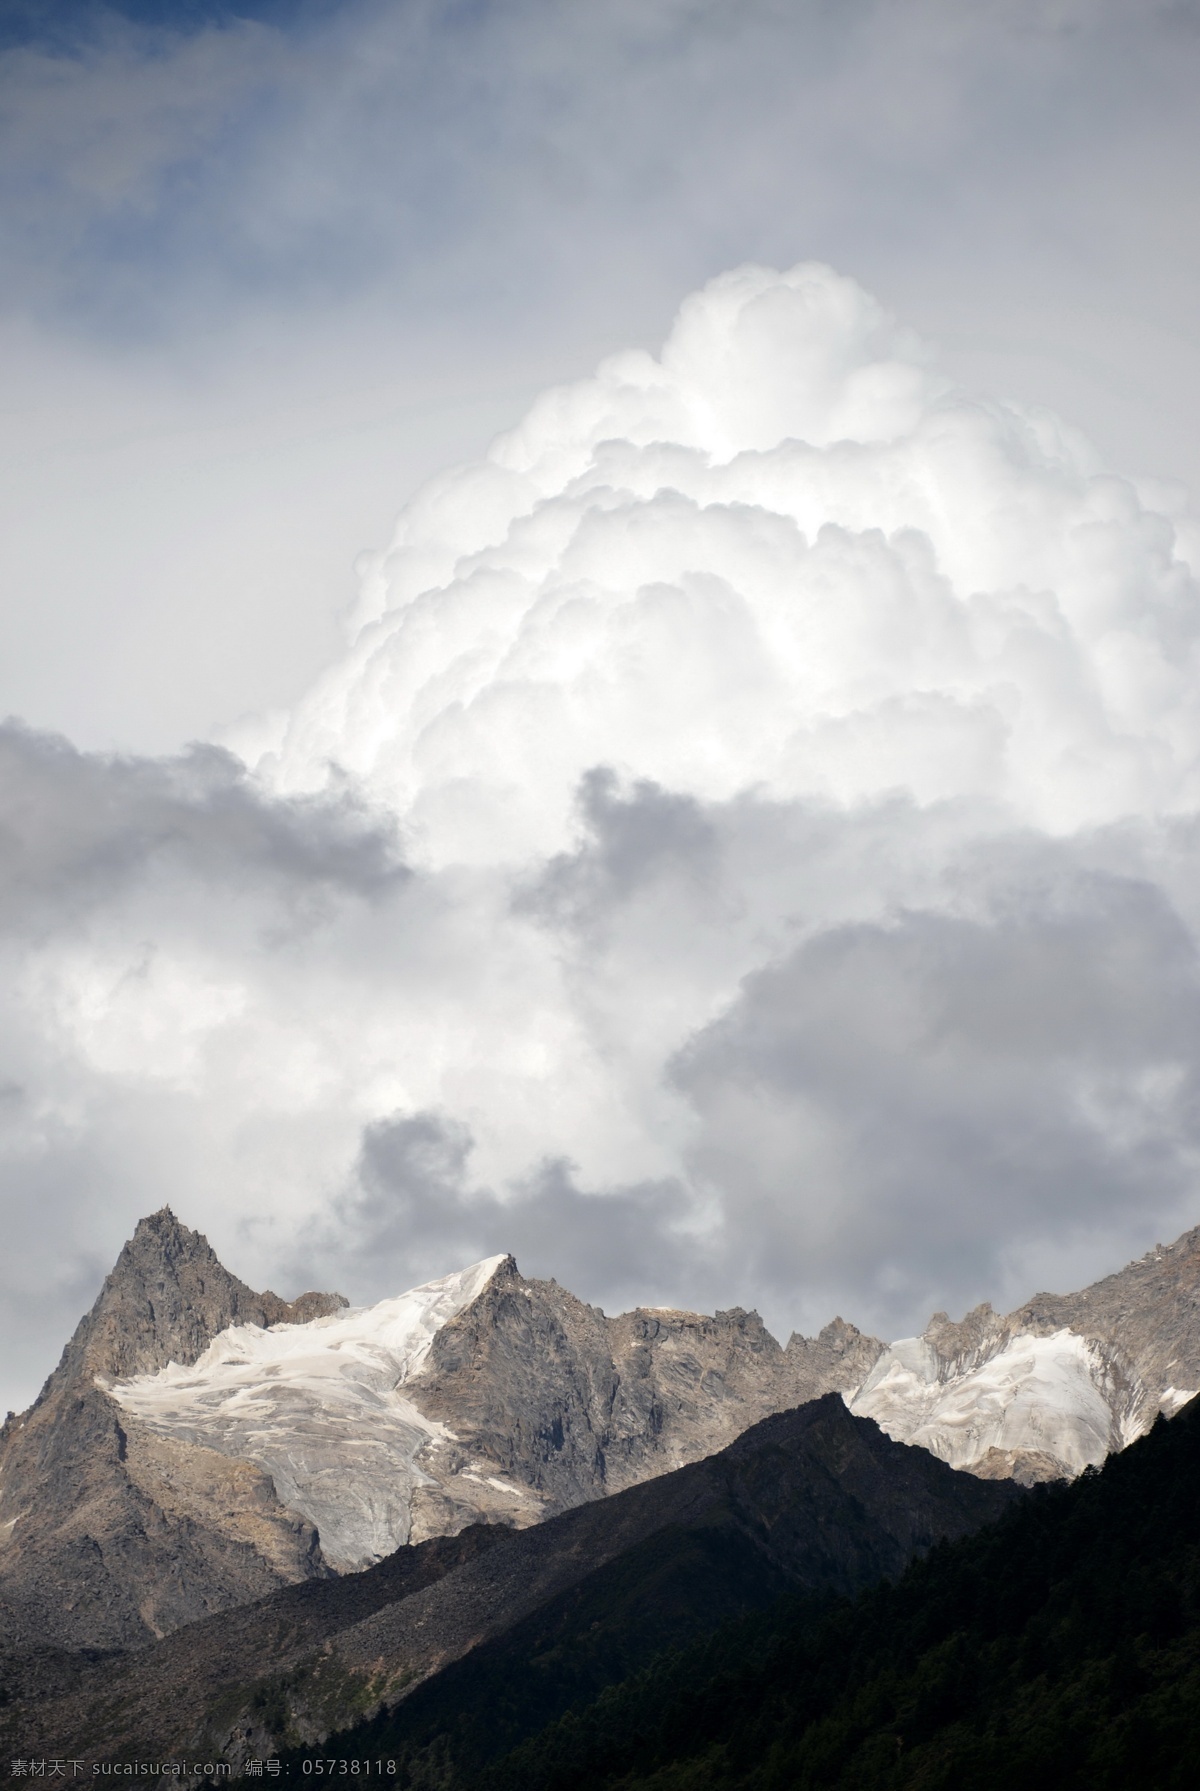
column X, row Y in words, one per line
column 780, row 560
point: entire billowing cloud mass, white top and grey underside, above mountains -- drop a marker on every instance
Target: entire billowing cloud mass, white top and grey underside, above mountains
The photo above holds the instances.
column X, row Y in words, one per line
column 794, row 766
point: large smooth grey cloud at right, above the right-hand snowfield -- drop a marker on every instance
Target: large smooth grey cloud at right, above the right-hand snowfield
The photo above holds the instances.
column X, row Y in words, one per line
column 934, row 1093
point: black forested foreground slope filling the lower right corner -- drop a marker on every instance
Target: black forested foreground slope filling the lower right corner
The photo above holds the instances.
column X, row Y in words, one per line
column 1058, row 1650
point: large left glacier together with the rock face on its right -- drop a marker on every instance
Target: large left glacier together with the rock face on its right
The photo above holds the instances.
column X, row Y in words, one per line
column 479, row 1396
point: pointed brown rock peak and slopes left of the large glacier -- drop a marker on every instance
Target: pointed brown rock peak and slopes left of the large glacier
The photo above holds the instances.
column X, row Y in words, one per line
column 110, row 1538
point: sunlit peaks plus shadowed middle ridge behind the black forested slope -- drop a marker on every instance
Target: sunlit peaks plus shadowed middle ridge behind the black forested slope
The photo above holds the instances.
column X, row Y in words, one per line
column 246, row 1525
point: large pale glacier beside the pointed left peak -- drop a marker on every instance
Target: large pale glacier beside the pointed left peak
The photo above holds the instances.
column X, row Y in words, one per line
column 321, row 1409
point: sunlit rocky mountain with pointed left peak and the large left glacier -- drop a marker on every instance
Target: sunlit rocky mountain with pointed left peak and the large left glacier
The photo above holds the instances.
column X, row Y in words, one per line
column 201, row 1444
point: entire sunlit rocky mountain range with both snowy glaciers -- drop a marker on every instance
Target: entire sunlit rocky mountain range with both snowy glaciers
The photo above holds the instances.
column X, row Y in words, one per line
column 201, row 1446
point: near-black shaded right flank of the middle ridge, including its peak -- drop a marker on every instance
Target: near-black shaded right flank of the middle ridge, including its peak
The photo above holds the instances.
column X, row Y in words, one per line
column 810, row 1504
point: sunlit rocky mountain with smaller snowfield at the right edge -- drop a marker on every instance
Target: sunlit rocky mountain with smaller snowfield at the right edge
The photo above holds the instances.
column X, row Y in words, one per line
column 1056, row 1385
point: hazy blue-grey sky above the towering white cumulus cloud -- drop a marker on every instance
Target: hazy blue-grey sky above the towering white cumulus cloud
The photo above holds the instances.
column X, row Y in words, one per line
column 262, row 279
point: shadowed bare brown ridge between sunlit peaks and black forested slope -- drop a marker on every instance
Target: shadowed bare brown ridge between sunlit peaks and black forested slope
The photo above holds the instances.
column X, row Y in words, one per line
column 807, row 1500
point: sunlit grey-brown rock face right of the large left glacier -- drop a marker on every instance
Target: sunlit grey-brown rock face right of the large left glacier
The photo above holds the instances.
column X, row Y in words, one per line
column 567, row 1403
